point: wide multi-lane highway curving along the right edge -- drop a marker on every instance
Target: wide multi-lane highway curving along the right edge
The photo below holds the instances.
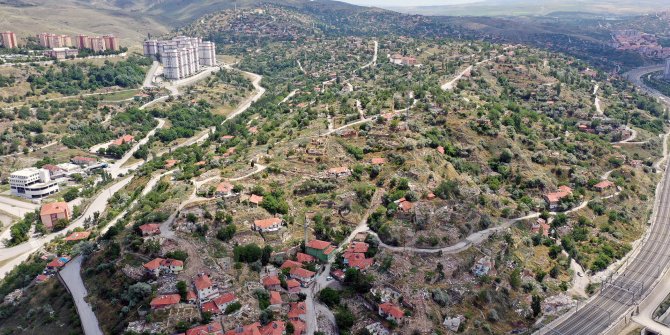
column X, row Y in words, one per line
column 620, row 295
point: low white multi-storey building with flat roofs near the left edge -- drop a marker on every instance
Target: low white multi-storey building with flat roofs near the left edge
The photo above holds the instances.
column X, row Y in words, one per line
column 32, row 183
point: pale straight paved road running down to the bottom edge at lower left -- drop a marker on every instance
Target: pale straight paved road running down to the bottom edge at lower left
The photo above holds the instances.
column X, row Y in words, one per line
column 71, row 275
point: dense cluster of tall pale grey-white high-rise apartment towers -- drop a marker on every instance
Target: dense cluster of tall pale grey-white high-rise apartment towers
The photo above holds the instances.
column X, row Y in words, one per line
column 181, row 56
